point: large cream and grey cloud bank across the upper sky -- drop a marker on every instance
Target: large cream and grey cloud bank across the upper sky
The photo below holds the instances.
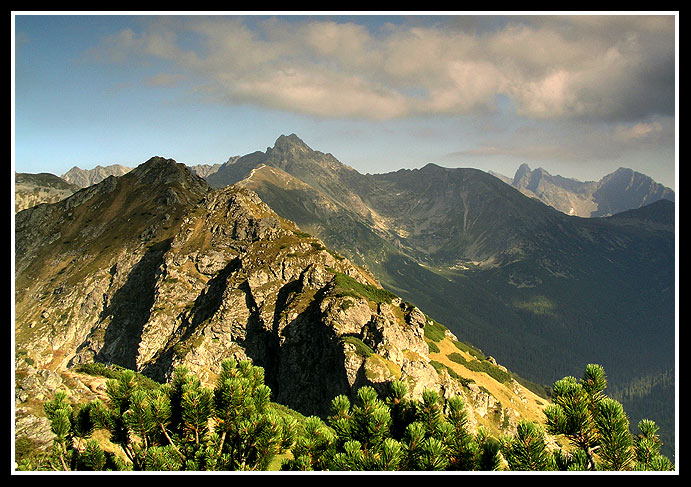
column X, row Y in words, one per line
column 612, row 68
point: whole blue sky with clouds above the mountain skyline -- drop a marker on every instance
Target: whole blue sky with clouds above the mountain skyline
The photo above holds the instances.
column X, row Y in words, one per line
column 579, row 94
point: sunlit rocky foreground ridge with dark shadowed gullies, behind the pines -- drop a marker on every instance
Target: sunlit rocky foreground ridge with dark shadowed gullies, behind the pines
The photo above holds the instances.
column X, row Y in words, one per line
column 155, row 269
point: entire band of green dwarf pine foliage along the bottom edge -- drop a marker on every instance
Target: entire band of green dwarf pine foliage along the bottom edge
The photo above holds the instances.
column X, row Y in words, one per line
column 183, row 425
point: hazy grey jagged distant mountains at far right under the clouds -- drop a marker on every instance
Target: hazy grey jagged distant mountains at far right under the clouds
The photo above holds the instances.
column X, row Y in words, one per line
column 622, row 190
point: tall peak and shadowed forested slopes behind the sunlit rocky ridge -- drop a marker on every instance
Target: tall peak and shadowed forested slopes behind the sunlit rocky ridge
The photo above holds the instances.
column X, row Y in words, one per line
column 543, row 290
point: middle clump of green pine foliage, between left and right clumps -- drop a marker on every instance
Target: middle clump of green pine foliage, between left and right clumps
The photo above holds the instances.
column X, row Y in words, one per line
column 396, row 433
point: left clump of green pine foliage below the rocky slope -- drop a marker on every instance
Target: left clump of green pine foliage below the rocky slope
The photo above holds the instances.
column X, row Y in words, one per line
column 169, row 427
